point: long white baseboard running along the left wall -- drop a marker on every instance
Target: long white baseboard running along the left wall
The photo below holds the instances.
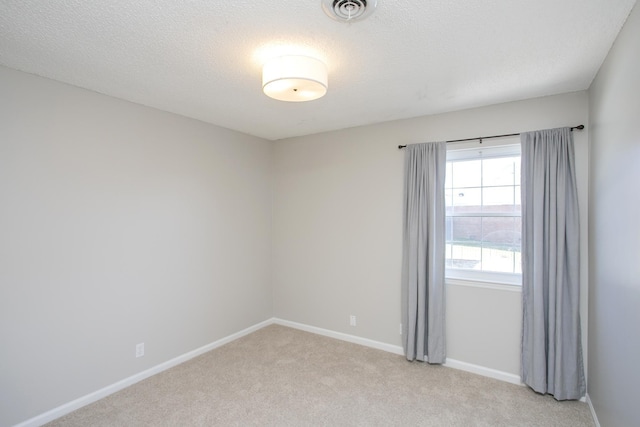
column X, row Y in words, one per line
column 110, row 389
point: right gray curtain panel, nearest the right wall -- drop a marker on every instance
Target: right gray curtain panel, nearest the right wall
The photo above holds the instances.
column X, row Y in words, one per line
column 551, row 337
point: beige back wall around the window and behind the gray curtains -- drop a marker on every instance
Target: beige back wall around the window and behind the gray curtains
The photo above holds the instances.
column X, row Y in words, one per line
column 337, row 224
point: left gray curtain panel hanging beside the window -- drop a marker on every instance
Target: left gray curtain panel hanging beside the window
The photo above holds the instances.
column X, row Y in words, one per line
column 424, row 252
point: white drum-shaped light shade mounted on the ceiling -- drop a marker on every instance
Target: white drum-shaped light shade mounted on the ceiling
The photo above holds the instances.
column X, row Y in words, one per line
column 294, row 78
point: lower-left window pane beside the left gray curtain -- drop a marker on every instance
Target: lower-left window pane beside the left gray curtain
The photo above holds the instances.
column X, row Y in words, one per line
column 464, row 244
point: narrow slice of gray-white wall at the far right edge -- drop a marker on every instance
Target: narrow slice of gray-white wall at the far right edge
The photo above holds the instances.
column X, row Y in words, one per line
column 614, row 231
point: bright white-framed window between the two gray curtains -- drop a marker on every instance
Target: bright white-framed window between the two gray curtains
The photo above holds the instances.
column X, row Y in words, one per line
column 483, row 215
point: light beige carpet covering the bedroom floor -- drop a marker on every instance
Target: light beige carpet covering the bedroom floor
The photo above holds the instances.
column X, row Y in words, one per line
column 280, row 376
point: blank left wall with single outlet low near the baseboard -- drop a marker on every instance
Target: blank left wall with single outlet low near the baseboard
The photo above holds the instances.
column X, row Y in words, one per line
column 119, row 224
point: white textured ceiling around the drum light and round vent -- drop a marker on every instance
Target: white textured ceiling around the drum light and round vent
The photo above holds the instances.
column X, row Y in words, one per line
column 202, row 59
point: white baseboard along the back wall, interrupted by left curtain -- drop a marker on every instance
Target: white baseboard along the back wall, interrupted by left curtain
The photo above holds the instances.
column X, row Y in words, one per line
column 395, row 349
